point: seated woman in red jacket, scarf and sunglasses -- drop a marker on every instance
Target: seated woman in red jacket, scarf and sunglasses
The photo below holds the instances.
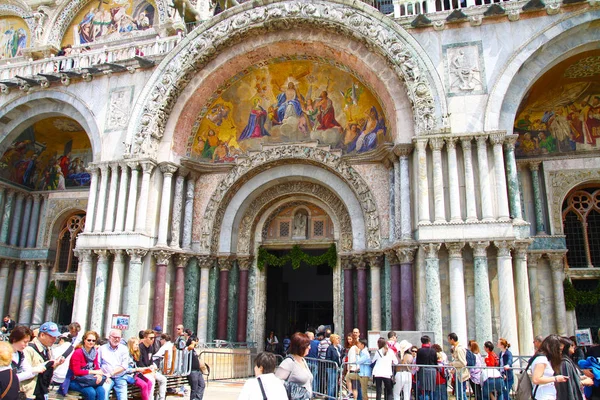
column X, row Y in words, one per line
column 87, row 376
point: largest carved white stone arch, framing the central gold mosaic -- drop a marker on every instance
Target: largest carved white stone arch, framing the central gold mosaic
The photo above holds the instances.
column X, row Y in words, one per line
column 358, row 21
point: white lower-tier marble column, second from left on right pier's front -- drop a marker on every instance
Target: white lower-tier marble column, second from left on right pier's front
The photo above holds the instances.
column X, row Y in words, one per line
column 458, row 307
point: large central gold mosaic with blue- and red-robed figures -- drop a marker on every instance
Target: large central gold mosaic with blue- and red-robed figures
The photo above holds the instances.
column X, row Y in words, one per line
column 288, row 100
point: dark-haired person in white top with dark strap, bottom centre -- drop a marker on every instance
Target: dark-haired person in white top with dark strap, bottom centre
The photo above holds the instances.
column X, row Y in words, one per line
column 266, row 385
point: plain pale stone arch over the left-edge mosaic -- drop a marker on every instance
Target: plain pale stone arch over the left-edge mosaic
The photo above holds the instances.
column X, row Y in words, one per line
column 34, row 107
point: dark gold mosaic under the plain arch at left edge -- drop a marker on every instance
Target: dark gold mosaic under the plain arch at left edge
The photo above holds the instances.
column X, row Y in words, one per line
column 52, row 154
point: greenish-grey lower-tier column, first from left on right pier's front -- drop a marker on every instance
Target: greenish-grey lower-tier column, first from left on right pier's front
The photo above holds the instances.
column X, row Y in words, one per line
column 433, row 290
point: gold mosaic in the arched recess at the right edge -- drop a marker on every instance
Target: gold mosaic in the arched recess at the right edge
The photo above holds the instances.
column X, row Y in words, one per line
column 561, row 111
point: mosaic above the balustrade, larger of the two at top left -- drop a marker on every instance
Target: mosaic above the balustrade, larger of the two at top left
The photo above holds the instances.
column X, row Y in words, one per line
column 109, row 20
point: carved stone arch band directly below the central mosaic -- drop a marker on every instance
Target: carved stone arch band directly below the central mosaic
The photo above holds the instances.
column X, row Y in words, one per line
column 285, row 154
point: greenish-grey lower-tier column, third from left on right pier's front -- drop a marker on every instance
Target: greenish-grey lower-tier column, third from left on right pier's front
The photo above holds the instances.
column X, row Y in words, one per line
column 483, row 302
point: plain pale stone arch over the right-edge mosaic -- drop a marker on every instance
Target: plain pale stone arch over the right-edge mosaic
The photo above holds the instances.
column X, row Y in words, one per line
column 565, row 38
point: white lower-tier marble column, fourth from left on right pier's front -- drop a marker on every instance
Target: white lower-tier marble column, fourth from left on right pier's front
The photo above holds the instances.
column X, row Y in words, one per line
column 506, row 290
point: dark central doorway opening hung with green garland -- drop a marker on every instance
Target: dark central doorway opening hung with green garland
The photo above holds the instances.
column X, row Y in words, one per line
column 298, row 298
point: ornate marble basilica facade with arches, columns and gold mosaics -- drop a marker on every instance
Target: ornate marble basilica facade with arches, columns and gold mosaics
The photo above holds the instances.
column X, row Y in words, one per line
column 441, row 155
